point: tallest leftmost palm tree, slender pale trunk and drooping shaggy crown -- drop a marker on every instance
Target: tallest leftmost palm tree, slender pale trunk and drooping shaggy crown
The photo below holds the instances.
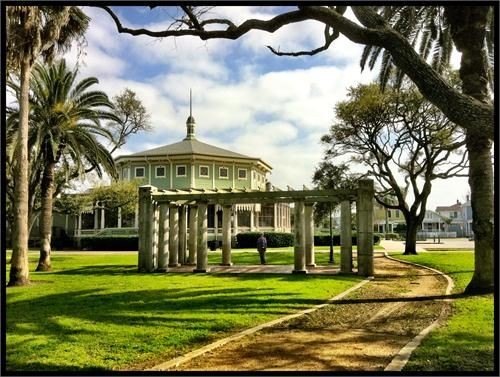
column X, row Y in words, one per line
column 32, row 32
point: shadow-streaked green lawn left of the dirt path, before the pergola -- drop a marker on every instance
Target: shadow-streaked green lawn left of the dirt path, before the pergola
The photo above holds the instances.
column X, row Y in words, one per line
column 96, row 312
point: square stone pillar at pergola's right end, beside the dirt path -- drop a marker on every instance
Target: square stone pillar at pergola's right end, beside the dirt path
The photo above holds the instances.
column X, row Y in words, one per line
column 364, row 212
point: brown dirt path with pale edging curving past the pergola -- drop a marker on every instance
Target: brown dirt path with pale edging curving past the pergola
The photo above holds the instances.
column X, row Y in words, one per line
column 362, row 332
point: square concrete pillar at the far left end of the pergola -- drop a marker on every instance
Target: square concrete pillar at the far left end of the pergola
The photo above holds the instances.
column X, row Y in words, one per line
column 145, row 223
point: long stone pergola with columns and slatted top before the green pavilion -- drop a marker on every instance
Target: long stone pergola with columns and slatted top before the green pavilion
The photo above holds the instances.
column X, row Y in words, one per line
column 163, row 228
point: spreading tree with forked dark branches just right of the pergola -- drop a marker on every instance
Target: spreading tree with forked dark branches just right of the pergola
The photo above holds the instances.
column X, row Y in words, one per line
column 403, row 141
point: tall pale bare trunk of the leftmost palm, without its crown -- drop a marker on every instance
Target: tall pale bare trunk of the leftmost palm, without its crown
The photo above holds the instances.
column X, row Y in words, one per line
column 19, row 270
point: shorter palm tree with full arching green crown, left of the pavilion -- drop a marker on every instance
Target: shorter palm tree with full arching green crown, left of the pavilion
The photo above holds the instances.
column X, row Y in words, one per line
column 64, row 125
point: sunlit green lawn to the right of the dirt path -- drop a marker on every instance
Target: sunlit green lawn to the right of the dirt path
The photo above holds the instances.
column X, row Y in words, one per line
column 465, row 342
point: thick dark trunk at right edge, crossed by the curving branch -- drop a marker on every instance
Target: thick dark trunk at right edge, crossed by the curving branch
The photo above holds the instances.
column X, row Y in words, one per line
column 468, row 31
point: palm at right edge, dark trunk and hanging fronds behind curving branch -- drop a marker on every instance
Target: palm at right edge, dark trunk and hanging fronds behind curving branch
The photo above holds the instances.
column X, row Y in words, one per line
column 471, row 30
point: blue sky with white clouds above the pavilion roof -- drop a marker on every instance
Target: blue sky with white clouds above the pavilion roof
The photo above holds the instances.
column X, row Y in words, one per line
column 245, row 98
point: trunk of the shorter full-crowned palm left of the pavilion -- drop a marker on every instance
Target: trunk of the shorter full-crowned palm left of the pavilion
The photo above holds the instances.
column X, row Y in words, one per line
column 45, row 228
